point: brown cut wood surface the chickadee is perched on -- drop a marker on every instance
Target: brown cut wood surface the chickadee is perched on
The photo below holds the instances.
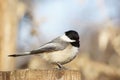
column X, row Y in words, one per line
column 40, row 75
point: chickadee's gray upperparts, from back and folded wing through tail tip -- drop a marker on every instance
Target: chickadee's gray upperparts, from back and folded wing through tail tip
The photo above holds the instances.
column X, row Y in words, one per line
column 54, row 45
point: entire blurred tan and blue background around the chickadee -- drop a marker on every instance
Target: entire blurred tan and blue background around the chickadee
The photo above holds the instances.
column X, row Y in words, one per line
column 27, row 24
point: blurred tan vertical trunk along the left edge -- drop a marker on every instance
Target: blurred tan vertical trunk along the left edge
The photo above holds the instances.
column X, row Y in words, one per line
column 8, row 29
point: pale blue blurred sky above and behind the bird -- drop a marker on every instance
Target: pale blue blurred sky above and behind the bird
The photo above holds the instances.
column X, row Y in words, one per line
column 62, row 15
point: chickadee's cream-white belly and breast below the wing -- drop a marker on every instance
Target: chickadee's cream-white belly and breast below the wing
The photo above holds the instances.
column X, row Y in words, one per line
column 62, row 56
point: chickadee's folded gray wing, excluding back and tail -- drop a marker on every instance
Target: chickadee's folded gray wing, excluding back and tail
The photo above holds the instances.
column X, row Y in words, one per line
column 49, row 47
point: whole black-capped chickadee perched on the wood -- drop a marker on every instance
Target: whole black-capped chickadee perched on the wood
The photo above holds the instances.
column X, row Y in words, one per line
column 59, row 51
